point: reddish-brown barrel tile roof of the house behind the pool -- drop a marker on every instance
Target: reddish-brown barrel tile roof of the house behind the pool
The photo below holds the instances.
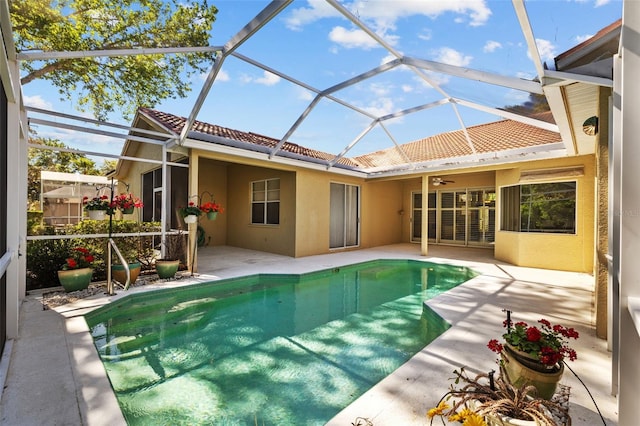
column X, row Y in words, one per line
column 487, row 138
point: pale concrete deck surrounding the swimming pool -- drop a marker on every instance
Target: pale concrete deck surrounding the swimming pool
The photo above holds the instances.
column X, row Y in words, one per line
column 55, row 376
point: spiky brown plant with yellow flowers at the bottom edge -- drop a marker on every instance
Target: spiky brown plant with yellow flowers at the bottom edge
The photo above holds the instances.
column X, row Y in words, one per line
column 488, row 401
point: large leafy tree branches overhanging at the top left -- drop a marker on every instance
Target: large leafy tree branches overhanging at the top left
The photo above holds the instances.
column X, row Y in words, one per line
column 102, row 84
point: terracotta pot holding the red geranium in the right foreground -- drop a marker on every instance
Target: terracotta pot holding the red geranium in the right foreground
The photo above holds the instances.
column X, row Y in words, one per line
column 520, row 371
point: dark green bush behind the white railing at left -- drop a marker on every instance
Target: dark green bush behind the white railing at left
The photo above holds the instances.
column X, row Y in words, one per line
column 45, row 257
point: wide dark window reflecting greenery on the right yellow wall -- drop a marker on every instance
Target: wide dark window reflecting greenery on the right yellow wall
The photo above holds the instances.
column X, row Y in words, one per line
column 541, row 207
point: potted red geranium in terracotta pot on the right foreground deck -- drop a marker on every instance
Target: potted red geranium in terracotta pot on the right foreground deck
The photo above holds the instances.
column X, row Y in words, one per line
column 535, row 354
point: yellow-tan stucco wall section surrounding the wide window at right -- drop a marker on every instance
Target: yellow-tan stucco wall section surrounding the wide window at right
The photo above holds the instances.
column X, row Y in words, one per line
column 552, row 251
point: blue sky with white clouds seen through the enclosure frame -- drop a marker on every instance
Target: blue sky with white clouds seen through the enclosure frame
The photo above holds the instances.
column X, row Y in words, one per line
column 311, row 42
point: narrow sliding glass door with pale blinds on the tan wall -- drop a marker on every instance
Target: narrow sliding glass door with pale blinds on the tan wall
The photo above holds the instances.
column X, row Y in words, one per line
column 344, row 209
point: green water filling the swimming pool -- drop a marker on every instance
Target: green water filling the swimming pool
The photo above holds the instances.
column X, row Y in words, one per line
column 268, row 349
